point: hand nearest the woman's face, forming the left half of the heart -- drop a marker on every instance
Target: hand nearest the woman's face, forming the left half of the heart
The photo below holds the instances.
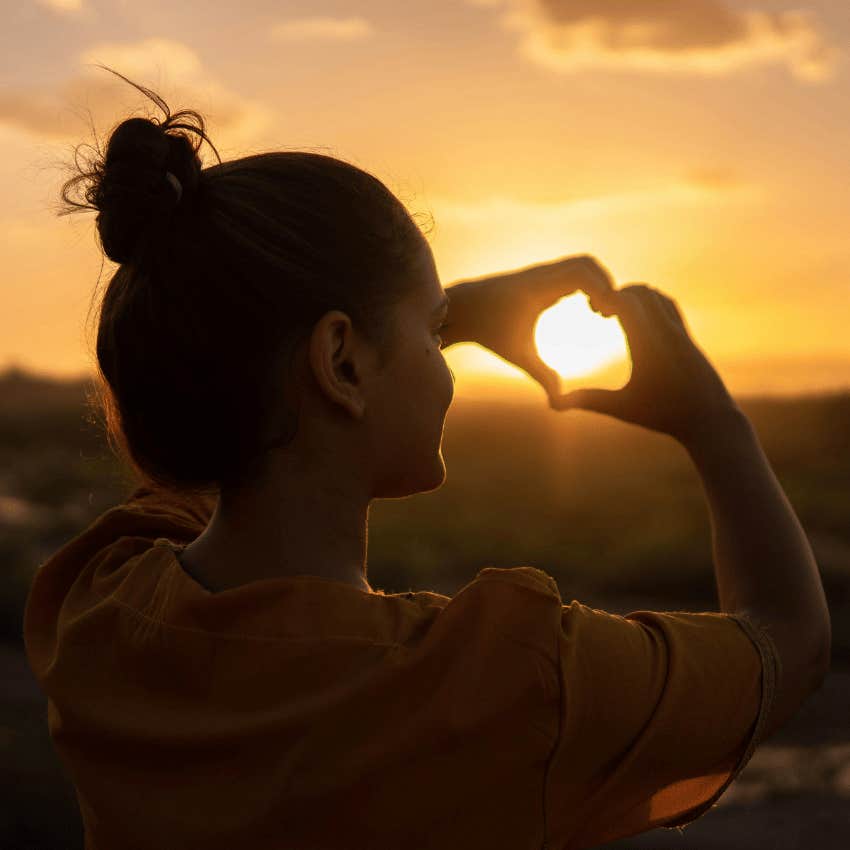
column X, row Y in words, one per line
column 500, row 312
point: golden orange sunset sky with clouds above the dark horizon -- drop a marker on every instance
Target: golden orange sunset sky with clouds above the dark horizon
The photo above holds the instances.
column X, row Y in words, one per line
column 700, row 146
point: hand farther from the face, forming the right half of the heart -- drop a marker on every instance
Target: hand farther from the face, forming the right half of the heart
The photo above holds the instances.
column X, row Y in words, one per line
column 673, row 388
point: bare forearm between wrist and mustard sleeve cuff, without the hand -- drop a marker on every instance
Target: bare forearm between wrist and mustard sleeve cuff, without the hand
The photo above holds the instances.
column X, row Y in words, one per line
column 763, row 562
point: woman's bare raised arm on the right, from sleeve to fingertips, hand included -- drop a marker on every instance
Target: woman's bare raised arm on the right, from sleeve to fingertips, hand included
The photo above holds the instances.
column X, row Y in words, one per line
column 763, row 563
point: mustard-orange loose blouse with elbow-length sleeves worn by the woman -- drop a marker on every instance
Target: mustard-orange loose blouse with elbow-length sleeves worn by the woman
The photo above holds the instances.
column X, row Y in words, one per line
column 304, row 713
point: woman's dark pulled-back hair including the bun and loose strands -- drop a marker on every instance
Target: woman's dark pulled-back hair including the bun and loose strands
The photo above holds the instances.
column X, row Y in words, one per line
column 219, row 283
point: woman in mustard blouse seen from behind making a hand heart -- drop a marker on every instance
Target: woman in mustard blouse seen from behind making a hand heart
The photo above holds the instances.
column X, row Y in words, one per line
column 219, row 671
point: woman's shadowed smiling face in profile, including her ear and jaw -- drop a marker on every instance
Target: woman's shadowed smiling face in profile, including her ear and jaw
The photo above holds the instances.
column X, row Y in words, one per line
column 380, row 428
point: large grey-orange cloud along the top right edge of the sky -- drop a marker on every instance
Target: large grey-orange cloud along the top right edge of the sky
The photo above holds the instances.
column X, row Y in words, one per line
column 706, row 37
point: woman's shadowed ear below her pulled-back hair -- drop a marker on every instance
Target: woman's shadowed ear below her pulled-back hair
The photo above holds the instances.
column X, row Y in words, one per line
column 336, row 356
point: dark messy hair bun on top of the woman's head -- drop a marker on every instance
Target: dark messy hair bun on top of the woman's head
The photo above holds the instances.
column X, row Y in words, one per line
column 134, row 198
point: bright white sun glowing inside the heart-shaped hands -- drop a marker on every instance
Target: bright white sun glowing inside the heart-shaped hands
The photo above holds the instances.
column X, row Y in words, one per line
column 575, row 341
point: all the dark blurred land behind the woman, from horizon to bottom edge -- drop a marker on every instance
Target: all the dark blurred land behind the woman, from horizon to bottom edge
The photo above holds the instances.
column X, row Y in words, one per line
column 615, row 513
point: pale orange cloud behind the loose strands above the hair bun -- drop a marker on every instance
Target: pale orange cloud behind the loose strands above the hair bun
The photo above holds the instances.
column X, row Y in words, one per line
column 168, row 67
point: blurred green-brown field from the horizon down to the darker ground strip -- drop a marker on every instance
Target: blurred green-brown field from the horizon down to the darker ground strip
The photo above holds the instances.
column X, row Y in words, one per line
column 608, row 509
